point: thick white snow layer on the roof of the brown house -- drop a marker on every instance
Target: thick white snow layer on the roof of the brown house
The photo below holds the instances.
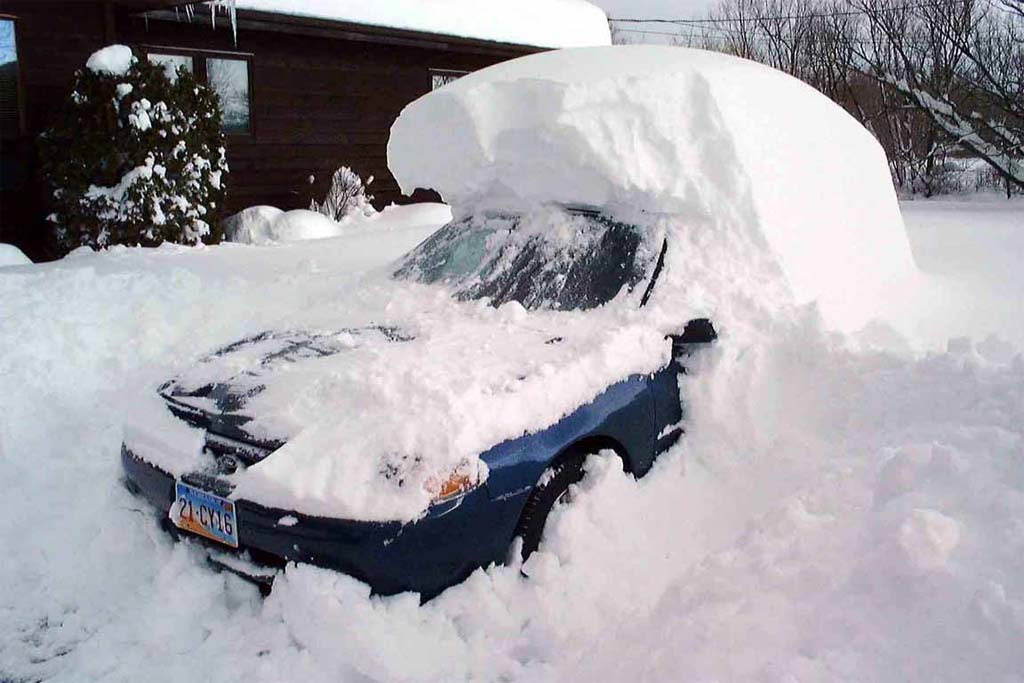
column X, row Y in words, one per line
column 538, row 23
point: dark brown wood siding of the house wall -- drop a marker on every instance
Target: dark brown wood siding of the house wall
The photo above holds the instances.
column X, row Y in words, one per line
column 324, row 95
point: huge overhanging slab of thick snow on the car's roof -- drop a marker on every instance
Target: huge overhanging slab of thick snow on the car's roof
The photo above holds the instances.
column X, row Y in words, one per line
column 673, row 132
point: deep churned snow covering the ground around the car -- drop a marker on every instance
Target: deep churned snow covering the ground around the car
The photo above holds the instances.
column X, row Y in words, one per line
column 842, row 508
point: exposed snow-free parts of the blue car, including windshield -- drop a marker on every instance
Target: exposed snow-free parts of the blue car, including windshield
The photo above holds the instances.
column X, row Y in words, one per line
column 466, row 527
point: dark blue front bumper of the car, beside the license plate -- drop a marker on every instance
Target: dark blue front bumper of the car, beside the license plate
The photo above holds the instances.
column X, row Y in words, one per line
column 425, row 557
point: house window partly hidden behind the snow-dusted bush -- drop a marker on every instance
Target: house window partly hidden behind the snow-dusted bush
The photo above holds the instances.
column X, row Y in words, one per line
column 228, row 76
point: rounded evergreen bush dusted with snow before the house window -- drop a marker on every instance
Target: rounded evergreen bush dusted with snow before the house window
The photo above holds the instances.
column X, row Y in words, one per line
column 136, row 158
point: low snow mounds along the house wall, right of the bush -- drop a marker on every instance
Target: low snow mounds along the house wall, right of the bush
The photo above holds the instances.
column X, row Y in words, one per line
column 268, row 225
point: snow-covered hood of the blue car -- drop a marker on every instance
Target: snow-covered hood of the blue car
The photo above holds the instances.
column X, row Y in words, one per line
column 366, row 419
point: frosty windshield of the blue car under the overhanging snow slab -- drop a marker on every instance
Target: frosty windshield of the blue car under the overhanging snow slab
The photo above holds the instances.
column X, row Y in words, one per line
column 549, row 261
